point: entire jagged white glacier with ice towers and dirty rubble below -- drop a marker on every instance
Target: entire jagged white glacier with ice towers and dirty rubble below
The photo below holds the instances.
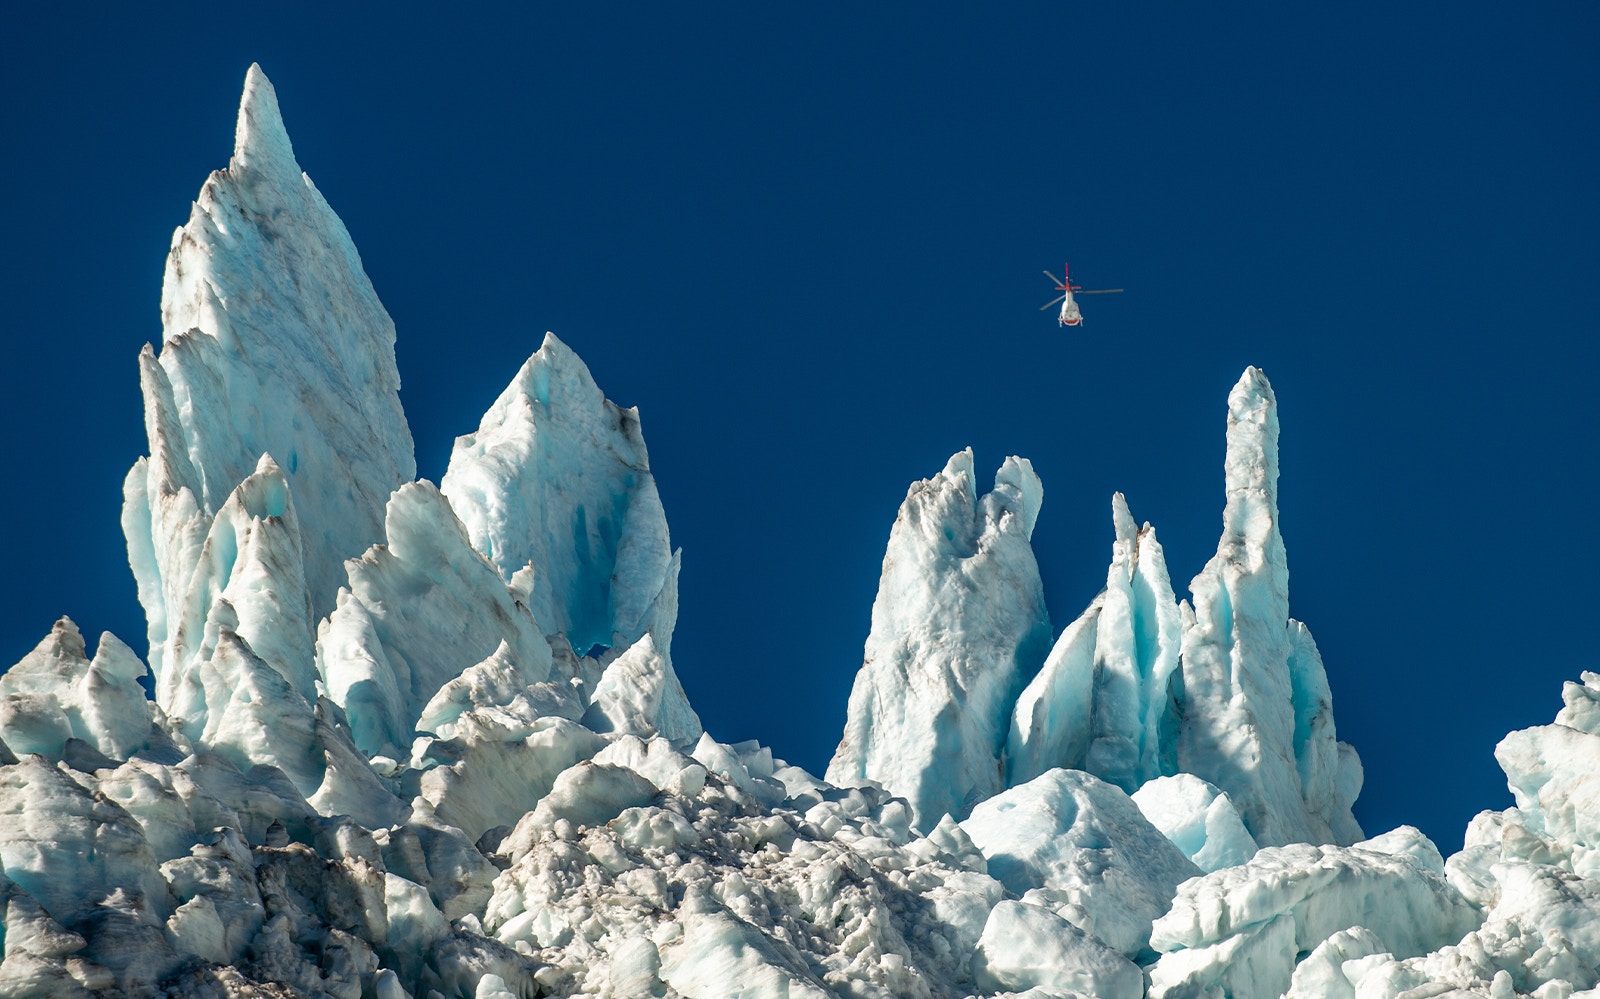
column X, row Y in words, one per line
column 430, row 742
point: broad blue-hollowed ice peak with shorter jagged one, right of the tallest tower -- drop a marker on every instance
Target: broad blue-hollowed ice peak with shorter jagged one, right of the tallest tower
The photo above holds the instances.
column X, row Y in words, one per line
column 545, row 552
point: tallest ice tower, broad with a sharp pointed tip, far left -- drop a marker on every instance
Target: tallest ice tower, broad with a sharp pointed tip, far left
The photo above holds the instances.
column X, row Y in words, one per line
column 276, row 377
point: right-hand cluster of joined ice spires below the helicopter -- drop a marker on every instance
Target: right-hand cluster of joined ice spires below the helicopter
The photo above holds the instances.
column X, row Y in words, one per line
column 1137, row 689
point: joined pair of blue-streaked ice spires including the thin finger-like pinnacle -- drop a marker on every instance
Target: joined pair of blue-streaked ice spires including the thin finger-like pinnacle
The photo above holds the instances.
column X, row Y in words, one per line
column 1231, row 691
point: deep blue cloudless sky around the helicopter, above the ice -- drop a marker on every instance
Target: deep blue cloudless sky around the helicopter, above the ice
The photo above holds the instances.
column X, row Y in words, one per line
column 809, row 249
